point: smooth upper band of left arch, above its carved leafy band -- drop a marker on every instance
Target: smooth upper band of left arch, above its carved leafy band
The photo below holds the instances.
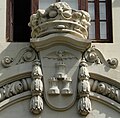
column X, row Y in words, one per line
column 14, row 73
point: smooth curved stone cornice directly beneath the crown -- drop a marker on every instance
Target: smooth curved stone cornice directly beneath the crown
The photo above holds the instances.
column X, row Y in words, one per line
column 66, row 39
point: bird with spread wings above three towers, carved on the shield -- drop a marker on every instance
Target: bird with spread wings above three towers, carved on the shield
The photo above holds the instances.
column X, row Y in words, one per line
column 60, row 73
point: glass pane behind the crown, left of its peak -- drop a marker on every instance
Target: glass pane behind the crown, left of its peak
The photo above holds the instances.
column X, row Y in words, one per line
column 43, row 4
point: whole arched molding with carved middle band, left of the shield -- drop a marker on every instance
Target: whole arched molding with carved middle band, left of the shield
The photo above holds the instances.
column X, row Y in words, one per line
column 15, row 82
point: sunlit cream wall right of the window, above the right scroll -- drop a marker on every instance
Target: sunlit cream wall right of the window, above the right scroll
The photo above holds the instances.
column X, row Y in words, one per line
column 112, row 49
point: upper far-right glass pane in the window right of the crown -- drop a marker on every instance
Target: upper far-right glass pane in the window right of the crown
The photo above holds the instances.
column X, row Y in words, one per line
column 102, row 11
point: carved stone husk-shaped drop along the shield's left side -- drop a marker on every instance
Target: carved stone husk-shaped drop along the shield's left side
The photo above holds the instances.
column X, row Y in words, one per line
column 36, row 103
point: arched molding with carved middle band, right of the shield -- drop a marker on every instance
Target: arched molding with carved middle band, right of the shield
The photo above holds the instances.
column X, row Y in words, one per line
column 105, row 90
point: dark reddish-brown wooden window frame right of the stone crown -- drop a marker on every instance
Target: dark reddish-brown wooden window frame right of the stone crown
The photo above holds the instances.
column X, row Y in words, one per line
column 109, row 33
